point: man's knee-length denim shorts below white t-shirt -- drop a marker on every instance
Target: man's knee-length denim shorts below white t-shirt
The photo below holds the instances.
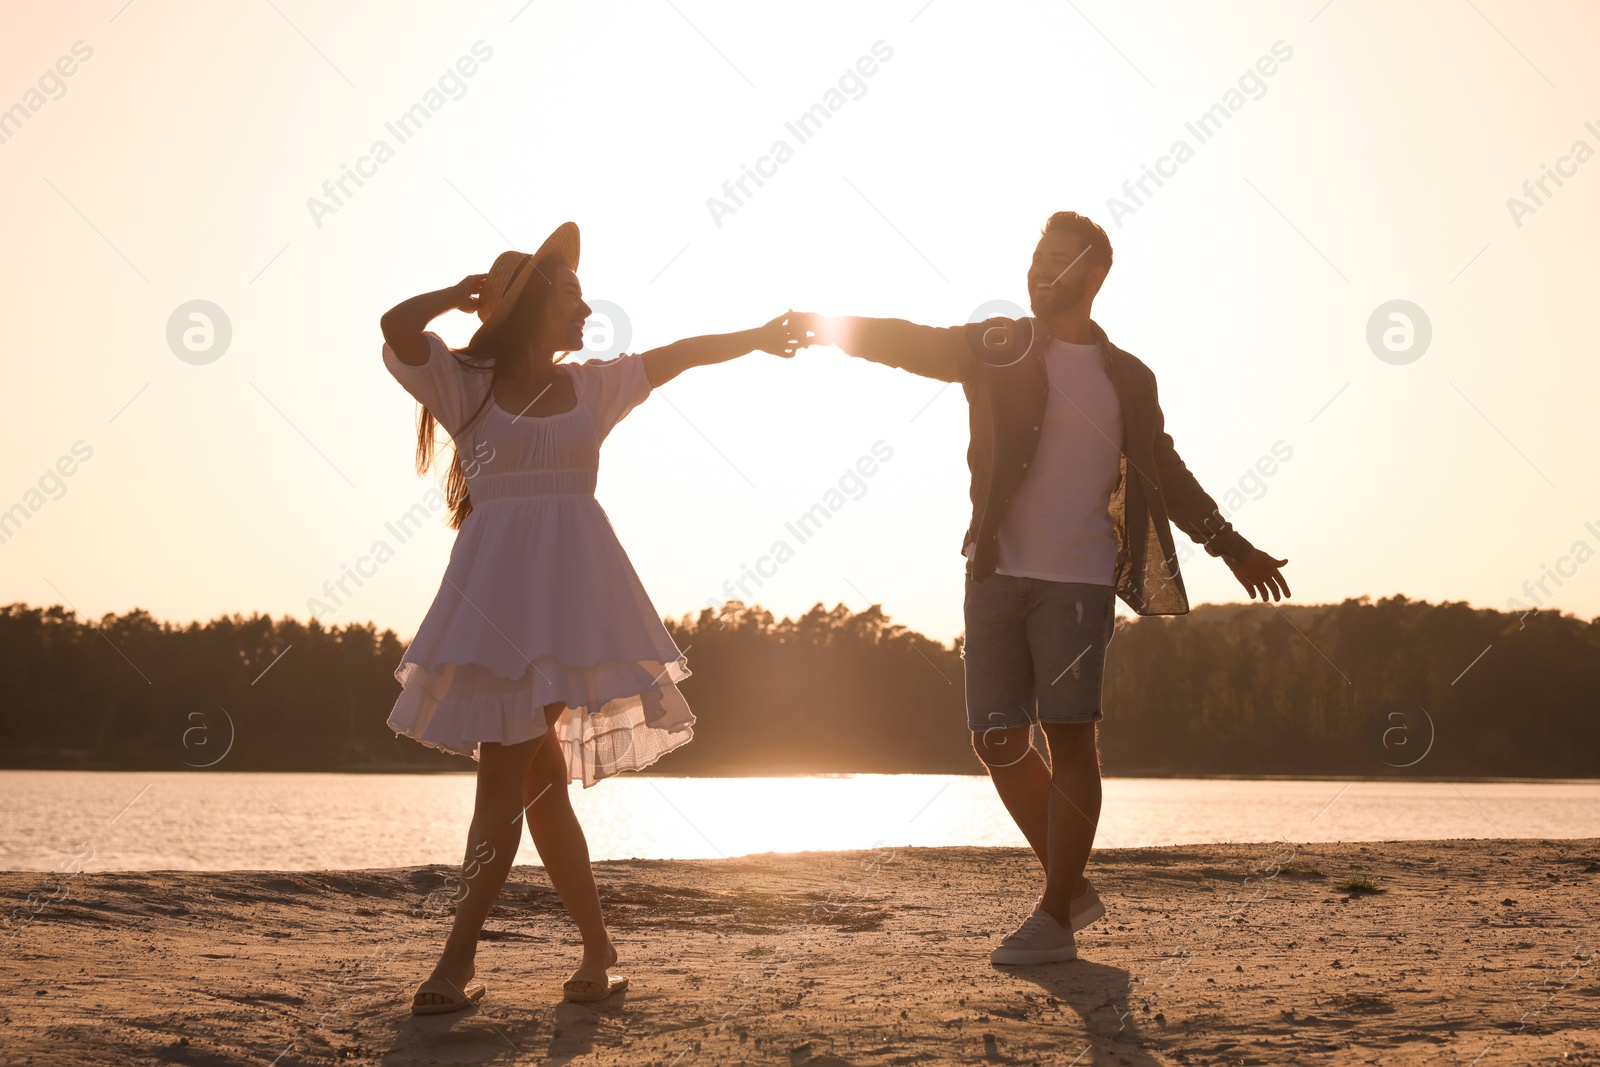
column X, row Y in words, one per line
column 1036, row 650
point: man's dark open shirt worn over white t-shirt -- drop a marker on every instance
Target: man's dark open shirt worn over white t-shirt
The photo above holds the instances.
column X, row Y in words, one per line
column 1002, row 370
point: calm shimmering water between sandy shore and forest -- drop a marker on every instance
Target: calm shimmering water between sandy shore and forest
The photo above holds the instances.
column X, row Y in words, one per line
column 186, row 821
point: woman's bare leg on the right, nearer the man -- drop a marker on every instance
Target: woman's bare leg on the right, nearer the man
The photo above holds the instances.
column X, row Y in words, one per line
column 556, row 833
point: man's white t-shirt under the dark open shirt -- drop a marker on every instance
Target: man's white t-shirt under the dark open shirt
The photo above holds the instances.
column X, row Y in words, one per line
column 1058, row 526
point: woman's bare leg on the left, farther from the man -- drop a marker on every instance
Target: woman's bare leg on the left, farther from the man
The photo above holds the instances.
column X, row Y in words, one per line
column 492, row 845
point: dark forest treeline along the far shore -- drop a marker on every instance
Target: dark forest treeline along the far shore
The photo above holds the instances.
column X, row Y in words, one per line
column 1375, row 689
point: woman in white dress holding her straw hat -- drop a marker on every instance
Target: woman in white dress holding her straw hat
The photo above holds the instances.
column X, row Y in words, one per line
column 542, row 655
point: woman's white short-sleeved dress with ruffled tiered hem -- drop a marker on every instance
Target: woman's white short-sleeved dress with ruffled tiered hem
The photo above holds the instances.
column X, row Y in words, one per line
column 540, row 604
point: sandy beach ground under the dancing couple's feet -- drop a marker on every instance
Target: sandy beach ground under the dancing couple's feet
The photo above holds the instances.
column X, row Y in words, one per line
column 1473, row 953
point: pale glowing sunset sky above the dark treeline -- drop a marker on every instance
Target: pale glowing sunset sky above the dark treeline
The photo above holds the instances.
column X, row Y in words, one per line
column 1354, row 265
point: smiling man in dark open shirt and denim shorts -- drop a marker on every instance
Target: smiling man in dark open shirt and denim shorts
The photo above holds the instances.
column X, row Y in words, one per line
column 1074, row 486
